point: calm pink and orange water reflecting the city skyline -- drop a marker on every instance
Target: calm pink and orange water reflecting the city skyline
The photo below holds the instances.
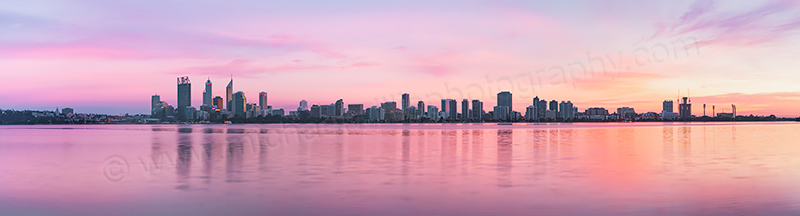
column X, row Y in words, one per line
column 395, row 169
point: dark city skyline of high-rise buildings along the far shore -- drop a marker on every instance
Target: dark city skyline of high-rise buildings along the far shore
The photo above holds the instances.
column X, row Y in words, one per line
column 235, row 106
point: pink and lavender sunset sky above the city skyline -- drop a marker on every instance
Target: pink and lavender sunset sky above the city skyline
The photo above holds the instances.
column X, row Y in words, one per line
column 110, row 57
